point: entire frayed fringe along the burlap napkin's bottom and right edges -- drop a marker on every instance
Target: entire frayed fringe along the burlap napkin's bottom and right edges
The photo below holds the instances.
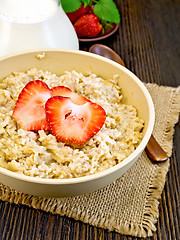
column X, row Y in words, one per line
column 151, row 212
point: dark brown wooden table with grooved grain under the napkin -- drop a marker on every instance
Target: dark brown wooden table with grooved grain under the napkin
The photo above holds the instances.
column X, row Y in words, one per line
column 148, row 40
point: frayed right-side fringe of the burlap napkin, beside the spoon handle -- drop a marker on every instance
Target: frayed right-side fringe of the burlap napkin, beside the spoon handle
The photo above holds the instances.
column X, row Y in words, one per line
column 151, row 211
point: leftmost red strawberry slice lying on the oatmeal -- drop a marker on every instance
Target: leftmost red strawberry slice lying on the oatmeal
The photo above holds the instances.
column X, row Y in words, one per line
column 29, row 111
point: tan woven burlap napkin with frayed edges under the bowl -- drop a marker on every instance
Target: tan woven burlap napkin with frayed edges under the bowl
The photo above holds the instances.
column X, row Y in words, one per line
column 130, row 204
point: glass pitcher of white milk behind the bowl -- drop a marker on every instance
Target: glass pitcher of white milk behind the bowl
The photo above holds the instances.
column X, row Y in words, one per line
column 34, row 24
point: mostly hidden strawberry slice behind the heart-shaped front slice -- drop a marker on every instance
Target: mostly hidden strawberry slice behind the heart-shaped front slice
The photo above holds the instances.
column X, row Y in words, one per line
column 66, row 92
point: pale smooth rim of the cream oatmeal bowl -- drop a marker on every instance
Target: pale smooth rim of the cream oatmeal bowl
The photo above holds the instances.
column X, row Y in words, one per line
column 131, row 157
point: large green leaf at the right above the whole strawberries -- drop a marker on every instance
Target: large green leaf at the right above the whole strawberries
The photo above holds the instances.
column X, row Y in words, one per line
column 107, row 10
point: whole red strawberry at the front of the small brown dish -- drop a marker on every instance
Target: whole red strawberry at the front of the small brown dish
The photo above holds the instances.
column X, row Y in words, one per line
column 88, row 25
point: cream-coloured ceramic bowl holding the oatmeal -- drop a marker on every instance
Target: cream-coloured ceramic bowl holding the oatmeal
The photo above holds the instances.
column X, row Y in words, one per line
column 134, row 93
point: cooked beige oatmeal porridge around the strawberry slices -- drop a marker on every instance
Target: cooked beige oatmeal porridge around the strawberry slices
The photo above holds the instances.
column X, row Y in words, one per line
column 39, row 154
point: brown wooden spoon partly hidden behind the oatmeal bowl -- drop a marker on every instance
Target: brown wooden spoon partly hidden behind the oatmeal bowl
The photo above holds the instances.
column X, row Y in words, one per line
column 153, row 149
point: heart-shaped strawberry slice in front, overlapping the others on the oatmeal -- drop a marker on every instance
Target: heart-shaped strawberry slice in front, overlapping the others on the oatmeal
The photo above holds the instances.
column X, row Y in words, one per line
column 71, row 123
